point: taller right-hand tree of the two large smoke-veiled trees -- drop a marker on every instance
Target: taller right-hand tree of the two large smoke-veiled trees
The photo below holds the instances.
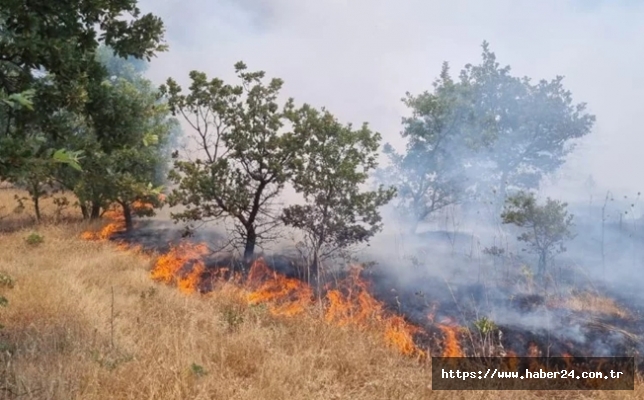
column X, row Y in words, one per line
column 527, row 129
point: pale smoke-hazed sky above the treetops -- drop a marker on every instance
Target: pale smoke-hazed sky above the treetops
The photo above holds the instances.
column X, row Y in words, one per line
column 358, row 58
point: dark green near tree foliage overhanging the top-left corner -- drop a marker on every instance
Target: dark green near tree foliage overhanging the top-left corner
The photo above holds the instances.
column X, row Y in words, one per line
column 59, row 39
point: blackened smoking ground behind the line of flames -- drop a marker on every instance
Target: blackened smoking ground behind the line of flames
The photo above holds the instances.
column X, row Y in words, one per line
column 528, row 325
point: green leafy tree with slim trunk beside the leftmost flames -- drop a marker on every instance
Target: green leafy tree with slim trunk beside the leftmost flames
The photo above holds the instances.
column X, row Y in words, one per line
column 130, row 129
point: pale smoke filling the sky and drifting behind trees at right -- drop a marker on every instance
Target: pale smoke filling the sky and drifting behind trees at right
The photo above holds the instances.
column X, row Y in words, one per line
column 359, row 58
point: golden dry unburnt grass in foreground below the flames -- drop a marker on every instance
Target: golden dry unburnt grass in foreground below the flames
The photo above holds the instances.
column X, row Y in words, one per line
column 84, row 321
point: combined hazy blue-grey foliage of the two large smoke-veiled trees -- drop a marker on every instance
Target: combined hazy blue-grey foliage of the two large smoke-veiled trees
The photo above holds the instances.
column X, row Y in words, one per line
column 472, row 138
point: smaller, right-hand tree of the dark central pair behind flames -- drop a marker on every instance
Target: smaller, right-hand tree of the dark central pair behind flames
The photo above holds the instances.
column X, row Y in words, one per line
column 336, row 160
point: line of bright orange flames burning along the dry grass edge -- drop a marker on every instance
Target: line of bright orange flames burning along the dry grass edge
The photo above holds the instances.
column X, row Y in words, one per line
column 348, row 304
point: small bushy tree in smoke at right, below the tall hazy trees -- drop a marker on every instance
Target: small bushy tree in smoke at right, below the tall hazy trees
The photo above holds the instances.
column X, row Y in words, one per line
column 547, row 227
